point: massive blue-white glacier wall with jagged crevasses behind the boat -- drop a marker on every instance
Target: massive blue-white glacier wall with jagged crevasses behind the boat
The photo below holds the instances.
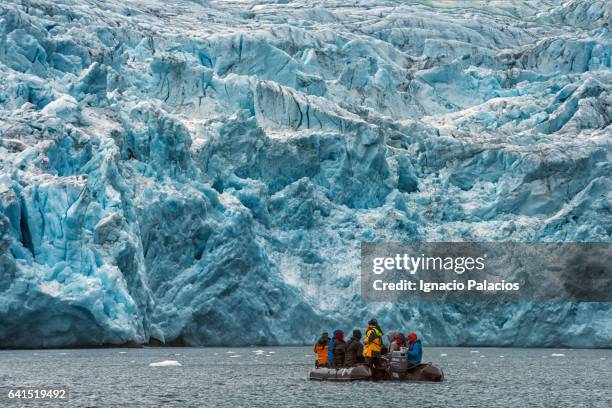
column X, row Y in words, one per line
column 203, row 172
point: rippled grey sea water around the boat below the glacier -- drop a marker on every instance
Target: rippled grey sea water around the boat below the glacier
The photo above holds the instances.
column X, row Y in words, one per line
column 278, row 376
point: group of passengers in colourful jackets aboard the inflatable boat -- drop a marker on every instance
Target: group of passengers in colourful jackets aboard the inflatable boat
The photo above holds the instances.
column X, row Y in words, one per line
column 335, row 352
